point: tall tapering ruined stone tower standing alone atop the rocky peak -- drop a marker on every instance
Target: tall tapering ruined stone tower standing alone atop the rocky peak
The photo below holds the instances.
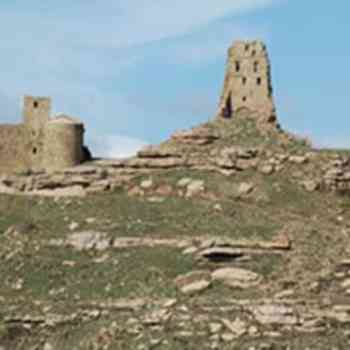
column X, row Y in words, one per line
column 247, row 84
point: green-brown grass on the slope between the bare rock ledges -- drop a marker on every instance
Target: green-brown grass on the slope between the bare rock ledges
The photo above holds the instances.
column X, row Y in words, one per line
column 277, row 205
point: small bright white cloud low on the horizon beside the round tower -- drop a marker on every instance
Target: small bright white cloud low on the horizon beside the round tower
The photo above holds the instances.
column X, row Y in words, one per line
column 114, row 146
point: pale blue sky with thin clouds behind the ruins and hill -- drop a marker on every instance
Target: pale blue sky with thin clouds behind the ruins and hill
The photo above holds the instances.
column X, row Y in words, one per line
column 135, row 71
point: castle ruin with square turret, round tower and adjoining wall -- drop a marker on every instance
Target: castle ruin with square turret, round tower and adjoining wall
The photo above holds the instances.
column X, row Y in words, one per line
column 41, row 142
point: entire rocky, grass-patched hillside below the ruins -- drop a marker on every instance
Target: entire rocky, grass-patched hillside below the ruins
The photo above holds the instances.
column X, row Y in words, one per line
column 233, row 235
